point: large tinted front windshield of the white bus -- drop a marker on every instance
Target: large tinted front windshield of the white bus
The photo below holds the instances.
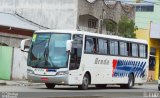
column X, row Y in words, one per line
column 48, row 51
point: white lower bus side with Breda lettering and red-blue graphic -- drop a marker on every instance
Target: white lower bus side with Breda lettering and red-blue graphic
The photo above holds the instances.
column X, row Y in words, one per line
column 113, row 69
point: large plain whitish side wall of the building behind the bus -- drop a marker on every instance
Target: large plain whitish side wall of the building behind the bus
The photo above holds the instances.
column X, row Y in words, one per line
column 56, row 14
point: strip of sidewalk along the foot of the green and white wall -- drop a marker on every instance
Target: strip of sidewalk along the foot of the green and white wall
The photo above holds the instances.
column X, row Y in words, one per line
column 18, row 83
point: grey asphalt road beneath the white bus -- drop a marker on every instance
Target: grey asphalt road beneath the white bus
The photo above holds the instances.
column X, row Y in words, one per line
column 112, row 91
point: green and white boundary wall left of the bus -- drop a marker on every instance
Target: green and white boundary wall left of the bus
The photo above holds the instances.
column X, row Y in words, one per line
column 13, row 63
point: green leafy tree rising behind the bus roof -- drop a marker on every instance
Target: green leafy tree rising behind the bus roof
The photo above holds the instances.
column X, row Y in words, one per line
column 126, row 27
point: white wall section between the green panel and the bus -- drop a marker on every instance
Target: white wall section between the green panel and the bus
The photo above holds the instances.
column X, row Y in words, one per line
column 19, row 67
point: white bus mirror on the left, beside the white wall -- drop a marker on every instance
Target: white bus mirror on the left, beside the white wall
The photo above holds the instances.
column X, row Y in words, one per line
column 25, row 44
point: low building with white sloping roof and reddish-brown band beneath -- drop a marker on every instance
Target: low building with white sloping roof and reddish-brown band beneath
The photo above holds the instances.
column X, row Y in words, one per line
column 14, row 28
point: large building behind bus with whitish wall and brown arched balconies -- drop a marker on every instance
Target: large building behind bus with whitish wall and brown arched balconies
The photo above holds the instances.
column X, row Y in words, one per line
column 89, row 15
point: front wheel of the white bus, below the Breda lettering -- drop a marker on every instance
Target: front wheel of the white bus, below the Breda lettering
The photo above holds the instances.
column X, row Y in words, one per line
column 85, row 82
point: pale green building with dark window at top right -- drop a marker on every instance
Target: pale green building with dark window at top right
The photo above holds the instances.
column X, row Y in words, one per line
column 146, row 11
